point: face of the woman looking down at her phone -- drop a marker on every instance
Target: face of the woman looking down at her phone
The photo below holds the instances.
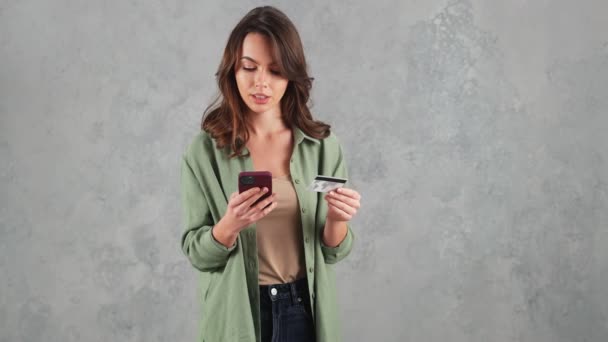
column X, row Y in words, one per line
column 257, row 74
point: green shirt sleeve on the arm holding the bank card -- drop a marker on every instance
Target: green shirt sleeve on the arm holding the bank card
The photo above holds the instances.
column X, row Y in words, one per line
column 333, row 255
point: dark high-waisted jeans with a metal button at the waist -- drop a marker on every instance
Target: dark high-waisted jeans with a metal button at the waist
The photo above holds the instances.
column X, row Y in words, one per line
column 285, row 312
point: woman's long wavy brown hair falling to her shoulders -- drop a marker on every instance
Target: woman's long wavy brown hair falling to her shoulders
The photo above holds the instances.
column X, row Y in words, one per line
column 224, row 118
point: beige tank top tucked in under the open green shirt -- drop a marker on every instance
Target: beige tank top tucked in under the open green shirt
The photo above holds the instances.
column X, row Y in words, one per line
column 279, row 238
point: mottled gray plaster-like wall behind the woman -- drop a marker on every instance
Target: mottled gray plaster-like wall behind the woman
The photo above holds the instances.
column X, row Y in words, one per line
column 475, row 130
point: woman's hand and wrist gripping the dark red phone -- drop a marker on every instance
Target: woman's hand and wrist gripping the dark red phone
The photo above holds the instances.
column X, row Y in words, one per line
column 240, row 213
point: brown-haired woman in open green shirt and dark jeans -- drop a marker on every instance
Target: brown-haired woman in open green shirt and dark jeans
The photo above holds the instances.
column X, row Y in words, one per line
column 266, row 270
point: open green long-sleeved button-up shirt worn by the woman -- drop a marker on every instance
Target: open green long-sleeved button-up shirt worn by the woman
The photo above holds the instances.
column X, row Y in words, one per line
column 229, row 288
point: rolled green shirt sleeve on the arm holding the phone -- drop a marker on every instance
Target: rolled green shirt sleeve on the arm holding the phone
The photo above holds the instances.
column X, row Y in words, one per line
column 198, row 244
